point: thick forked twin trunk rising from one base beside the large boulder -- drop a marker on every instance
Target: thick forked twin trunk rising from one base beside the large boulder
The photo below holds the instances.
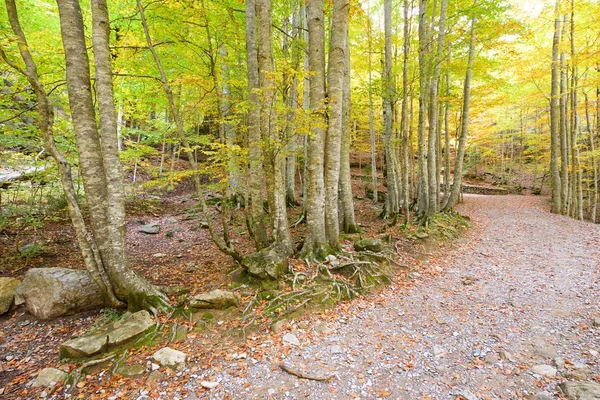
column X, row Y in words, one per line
column 98, row 152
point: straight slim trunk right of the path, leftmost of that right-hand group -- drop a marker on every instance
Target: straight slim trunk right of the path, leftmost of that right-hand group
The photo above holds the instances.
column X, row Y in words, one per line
column 554, row 120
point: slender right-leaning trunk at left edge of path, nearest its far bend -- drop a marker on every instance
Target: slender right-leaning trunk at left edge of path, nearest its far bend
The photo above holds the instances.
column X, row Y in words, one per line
column 464, row 128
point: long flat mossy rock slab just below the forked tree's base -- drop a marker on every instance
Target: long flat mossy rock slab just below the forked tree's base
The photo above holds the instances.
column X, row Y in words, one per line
column 119, row 333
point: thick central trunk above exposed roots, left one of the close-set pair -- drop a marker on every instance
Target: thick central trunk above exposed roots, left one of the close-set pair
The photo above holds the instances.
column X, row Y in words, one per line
column 315, row 240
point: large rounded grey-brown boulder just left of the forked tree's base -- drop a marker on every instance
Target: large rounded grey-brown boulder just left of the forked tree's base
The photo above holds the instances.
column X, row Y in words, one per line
column 53, row 292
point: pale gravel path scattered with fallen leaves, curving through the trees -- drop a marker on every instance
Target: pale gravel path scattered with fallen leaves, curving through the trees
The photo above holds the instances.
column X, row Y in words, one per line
column 522, row 291
